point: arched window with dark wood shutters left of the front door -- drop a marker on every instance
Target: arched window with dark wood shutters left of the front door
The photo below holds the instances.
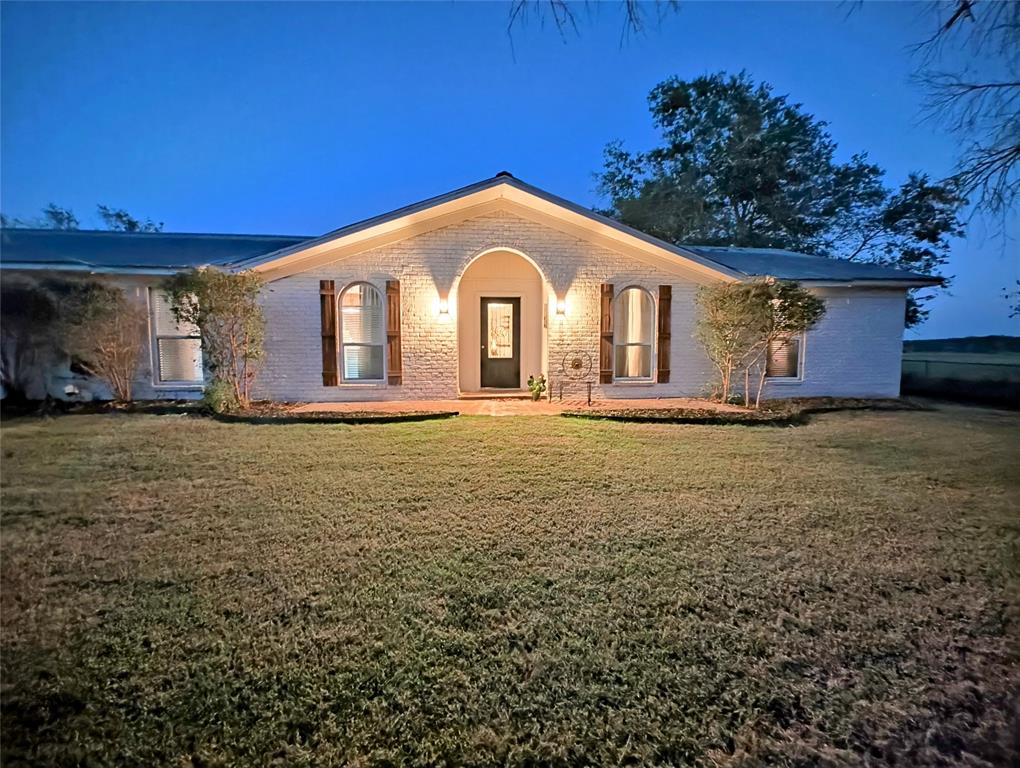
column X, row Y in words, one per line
column 363, row 334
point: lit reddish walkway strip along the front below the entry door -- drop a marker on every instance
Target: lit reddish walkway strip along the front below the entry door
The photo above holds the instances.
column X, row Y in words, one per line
column 507, row 406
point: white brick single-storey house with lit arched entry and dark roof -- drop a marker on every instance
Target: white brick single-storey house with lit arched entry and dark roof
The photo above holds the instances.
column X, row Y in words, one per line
column 475, row 291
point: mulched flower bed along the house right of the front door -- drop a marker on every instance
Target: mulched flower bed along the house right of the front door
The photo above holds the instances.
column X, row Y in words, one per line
column 773, row 414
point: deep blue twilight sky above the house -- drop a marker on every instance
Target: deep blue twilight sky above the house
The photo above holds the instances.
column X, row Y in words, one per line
column 301, row 118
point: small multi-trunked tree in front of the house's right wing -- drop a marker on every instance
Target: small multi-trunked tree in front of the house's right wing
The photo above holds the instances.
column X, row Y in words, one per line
column 740, row 322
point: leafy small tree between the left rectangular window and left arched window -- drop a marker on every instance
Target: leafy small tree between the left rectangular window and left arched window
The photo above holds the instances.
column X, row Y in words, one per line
column 226, row 310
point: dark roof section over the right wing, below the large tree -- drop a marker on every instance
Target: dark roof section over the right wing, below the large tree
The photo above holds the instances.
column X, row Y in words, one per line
column 789, row 266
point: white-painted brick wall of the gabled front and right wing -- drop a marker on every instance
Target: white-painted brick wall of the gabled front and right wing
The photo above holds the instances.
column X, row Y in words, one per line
column 855, row 351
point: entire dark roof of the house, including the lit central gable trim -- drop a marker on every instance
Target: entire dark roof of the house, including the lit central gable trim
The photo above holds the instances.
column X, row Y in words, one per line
column 165, row 253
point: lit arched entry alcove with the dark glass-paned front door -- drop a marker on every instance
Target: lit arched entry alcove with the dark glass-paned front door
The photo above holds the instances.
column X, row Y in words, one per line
column 501, row 299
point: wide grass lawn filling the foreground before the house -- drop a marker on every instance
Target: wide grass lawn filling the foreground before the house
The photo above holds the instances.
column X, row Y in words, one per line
column 522, row 591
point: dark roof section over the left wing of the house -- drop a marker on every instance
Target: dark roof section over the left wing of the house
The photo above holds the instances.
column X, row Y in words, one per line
column 157, row 252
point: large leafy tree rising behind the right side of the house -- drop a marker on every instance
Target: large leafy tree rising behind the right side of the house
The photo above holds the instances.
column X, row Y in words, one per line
column 741, row 166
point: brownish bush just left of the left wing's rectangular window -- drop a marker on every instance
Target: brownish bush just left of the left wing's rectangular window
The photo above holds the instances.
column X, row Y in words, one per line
column 105, row 334
